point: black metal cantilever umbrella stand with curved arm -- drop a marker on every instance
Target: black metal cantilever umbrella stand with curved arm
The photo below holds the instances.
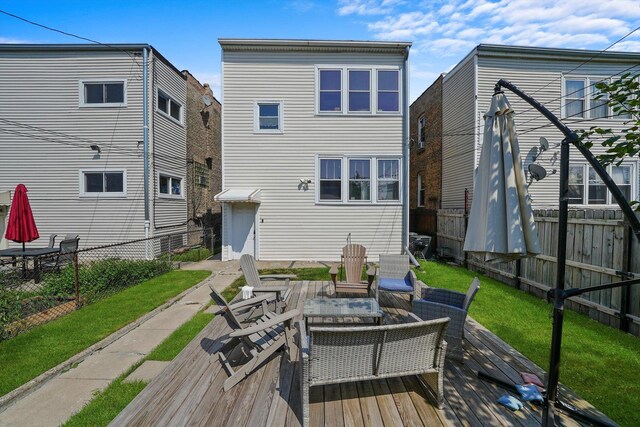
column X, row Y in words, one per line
column 559, row 294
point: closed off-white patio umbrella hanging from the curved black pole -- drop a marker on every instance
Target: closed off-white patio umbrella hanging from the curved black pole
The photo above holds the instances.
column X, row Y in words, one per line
column 501, row 223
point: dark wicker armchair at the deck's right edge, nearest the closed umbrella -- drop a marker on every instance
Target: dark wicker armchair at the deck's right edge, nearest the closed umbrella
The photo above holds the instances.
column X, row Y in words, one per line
column 435, row 303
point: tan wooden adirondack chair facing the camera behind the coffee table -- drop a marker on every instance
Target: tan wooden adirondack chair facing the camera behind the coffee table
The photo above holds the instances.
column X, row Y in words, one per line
column 353, row 259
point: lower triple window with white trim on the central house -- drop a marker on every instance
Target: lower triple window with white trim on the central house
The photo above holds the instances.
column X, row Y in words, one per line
column 368, row 179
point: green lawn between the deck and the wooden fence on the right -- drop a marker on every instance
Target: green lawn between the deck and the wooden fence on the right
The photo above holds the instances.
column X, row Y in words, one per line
column 599, row 363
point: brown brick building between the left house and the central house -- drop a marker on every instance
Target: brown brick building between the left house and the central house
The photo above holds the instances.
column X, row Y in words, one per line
column 204, row 163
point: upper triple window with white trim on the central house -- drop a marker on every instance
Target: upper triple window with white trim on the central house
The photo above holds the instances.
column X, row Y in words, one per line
column 362, row 89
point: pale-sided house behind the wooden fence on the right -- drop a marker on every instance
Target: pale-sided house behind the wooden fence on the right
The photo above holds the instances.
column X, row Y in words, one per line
column 560, row 79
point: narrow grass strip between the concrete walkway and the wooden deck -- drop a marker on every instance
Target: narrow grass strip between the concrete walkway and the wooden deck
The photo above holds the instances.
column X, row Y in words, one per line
column 107, row 404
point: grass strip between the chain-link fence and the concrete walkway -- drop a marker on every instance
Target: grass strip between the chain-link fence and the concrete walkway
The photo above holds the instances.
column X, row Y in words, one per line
column 29, row 354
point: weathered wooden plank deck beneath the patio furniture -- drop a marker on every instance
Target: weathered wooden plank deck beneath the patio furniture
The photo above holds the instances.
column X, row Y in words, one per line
column 189, row 391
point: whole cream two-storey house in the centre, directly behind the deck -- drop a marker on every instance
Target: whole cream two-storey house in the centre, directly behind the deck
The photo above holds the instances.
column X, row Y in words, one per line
column 312, row 147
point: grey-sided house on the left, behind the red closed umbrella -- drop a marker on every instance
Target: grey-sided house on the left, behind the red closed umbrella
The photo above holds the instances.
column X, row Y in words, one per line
column 72, row 129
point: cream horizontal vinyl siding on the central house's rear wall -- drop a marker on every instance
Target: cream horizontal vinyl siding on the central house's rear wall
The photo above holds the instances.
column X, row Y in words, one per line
column 276, row 165
